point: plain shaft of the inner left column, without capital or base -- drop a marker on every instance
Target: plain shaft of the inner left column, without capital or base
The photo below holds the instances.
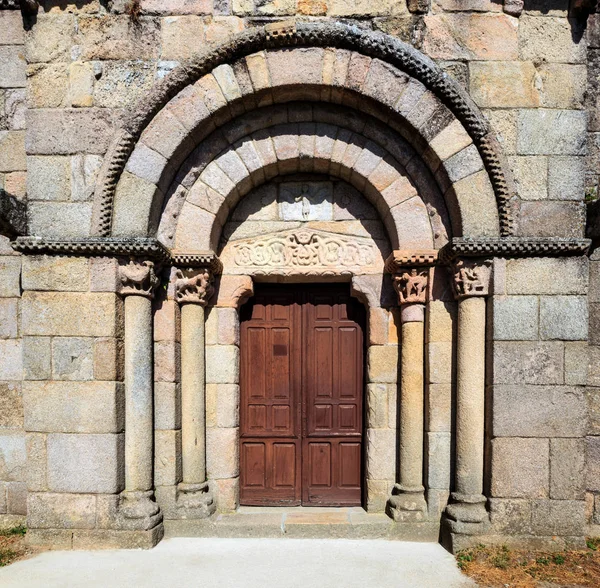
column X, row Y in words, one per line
column 193, row 394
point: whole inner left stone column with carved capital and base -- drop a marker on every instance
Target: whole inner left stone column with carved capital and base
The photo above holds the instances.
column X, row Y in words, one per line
column 193, row 289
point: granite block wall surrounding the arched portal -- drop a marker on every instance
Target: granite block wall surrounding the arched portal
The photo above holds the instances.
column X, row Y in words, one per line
column 73, row 72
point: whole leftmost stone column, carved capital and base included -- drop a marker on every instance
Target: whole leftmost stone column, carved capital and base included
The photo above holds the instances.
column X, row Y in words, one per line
column 137, row 283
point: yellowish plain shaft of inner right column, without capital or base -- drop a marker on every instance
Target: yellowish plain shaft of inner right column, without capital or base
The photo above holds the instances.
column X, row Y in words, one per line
column 411, row 401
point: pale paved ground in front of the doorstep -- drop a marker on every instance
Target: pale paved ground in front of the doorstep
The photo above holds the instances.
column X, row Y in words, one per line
column 247, row 563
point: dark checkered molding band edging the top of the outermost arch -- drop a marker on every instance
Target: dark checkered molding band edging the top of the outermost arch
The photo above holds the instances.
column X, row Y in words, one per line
column 292, row 34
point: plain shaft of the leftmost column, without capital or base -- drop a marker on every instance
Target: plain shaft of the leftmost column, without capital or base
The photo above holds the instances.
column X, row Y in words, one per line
column 138, row 394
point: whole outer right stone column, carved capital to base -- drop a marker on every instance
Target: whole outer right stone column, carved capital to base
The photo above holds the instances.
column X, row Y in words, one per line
column 467, row 513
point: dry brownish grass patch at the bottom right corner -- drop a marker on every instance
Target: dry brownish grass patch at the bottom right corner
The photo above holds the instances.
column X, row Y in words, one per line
column 499, row 566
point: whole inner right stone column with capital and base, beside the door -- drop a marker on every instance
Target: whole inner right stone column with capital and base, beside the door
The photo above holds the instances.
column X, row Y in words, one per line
column 408, row 502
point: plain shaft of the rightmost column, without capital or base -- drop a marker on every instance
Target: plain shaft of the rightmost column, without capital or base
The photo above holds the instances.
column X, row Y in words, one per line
column 470, row 396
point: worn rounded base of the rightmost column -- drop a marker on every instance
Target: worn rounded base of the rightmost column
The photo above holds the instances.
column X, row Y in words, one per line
column 463, row 520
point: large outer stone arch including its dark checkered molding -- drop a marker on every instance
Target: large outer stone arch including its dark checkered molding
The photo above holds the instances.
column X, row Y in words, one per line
column 334, row 63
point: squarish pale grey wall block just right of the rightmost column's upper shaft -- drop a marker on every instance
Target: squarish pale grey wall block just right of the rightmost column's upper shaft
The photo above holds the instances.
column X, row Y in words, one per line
column 516, row 318
